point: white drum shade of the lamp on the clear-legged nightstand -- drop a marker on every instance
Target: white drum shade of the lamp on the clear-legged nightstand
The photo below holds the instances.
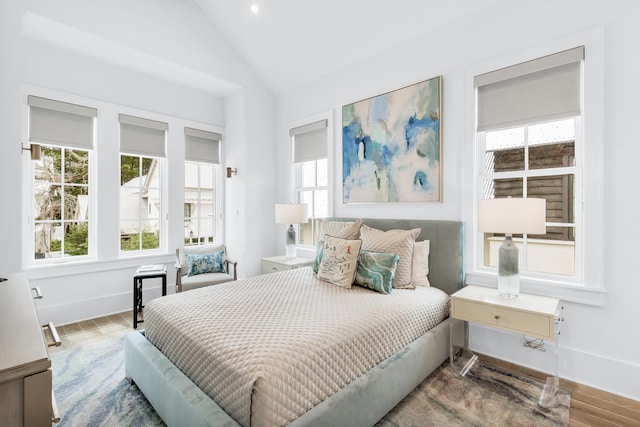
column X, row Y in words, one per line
column 512, row 216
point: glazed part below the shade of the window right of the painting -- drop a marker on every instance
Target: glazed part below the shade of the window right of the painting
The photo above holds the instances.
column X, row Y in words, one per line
column 535, row 161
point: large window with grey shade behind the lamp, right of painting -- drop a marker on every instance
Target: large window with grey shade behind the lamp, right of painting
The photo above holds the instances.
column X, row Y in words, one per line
column 530, row 142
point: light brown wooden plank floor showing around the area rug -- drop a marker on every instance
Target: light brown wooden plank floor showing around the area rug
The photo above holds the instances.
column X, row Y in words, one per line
column 589, row 406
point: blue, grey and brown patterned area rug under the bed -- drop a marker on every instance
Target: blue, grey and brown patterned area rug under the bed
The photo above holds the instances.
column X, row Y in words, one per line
column 91, row 390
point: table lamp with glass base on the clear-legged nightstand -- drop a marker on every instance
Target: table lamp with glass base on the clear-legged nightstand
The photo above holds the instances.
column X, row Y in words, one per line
column 511, row 216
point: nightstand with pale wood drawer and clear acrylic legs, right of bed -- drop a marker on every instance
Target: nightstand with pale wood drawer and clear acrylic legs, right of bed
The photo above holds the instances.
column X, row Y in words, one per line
column 530, row 315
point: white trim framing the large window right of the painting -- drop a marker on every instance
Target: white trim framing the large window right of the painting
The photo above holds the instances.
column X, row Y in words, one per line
column 591, row 289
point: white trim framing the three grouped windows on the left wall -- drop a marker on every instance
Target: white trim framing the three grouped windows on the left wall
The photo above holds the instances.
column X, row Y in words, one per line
column 106, row 254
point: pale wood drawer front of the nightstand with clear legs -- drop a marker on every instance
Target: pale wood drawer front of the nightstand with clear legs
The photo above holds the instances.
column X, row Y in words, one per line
column 528, row 323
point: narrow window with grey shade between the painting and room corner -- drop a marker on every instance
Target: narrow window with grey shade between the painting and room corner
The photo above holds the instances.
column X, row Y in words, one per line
column 311, row 176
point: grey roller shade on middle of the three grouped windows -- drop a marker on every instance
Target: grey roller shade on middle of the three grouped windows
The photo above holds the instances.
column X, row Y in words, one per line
column 142, row 137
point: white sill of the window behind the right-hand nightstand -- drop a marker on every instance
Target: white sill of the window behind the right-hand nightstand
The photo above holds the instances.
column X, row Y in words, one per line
column 563, row 291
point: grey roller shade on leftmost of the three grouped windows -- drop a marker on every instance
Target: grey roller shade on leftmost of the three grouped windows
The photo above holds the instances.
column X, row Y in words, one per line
column 60, row 123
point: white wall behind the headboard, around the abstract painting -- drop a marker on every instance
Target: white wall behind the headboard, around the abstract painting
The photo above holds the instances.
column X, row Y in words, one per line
column 599, row 345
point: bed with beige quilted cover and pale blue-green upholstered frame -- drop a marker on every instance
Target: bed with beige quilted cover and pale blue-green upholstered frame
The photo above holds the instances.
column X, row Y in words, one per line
column 374, row 386
